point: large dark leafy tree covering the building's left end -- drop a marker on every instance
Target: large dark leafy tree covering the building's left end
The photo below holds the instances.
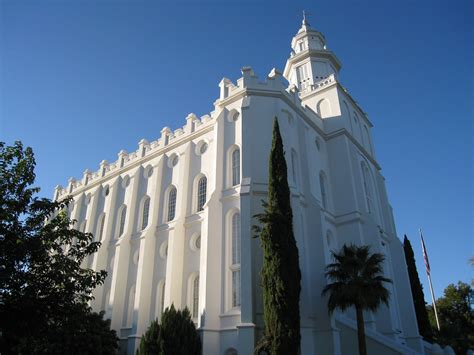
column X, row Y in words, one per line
column 44, row 292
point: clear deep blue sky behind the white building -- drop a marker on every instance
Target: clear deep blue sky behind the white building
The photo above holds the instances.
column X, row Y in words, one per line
column 82, row 80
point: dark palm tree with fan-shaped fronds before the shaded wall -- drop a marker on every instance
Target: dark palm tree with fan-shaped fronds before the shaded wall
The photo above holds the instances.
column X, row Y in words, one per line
column 357, row 281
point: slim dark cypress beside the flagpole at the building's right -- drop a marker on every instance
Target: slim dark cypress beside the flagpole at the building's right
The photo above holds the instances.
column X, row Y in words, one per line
column 424, row 326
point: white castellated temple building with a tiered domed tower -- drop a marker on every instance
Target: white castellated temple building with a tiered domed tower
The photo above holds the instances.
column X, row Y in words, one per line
column 175, row 216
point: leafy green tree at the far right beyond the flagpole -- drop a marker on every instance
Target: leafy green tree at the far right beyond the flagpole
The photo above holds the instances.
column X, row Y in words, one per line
column 456, row 318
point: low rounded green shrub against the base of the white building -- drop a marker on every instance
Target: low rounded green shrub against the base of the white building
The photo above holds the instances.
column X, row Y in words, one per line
column 176, row 335
